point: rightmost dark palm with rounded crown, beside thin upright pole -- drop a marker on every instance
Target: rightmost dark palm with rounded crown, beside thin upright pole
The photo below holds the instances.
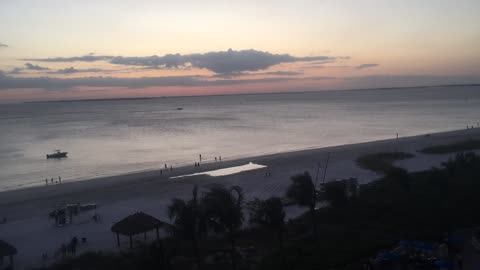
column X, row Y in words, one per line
column 302, row 192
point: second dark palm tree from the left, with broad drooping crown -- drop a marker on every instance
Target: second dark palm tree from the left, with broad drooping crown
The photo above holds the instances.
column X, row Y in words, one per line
column 224, row 211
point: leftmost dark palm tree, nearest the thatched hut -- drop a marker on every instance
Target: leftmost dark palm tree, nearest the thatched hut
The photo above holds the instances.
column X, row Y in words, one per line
column 188, row 221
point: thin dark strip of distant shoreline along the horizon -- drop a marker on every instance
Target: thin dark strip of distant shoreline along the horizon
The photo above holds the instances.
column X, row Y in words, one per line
column 242, row 94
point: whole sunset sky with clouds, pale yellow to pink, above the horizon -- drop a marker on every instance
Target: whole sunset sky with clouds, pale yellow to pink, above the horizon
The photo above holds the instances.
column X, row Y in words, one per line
column 67, row 49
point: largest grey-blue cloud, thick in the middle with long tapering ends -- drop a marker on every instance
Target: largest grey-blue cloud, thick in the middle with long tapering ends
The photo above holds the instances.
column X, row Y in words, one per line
column 221, row 62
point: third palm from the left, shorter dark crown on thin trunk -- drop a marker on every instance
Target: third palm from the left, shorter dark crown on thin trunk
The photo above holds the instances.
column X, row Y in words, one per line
column 270, row 214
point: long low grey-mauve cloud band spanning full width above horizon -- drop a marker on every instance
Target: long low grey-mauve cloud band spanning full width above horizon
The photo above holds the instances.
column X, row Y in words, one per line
column 375, row 81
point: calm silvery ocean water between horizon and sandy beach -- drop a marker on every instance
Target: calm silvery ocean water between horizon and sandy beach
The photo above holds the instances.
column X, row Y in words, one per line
column 114, row 137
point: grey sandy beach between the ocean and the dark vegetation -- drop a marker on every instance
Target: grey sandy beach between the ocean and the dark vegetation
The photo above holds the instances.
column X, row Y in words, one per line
column 30, row 230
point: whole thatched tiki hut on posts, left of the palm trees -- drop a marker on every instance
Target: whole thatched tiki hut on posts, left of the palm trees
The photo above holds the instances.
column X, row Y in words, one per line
column 136, row 224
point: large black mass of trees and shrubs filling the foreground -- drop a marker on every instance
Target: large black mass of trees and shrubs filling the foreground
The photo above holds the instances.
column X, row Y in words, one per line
column 400, row 206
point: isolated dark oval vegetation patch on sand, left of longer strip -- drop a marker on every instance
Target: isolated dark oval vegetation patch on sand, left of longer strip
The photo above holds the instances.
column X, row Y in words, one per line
column 381, row 162
